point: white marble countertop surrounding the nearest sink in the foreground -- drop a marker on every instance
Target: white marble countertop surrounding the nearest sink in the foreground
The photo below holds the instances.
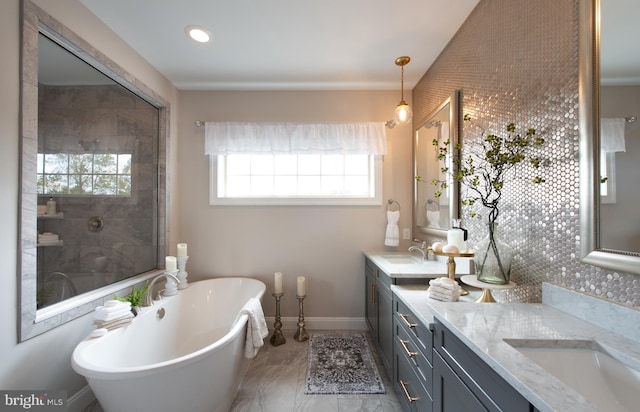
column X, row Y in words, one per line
column 484, row 326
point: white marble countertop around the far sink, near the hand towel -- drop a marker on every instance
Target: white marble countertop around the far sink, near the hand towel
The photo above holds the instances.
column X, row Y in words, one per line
column 420, row 269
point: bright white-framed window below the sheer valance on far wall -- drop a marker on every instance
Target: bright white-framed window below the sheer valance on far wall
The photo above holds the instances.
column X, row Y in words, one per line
column 295, row 179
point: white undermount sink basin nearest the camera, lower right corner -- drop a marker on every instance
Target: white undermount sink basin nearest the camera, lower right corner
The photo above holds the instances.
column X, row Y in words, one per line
column 589, row 369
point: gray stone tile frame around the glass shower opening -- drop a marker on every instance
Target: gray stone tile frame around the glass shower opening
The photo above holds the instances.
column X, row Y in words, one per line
column 33, row 321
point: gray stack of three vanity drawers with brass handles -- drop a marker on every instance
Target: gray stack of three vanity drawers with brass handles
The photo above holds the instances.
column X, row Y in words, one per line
column 413, row 356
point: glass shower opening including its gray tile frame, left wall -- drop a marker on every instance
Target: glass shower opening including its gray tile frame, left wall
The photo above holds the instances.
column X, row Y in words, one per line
column 94, row 143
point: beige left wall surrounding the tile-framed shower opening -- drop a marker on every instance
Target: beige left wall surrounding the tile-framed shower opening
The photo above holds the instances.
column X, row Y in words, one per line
column 44, row 362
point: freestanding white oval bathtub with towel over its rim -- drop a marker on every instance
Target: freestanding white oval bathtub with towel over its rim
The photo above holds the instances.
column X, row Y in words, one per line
column 190, row 360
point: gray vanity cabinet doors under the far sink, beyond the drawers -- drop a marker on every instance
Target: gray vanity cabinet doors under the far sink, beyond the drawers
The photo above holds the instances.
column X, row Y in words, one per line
column 379, row 312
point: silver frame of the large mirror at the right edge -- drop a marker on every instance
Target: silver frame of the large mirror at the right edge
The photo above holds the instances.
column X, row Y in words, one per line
column 589, row 111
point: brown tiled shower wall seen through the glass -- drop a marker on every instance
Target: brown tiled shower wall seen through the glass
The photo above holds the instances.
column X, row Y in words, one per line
column 101, row 119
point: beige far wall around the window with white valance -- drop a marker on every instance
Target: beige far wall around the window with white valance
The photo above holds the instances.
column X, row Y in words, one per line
column 323, row 243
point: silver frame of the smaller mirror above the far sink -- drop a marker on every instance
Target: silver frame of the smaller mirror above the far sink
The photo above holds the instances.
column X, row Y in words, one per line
column 453, row 189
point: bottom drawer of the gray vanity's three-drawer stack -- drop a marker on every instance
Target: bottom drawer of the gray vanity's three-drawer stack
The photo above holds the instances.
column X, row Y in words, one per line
column 411, row 393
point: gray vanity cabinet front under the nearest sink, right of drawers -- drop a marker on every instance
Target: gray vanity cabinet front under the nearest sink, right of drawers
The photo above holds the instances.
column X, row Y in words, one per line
column 464, row 382
